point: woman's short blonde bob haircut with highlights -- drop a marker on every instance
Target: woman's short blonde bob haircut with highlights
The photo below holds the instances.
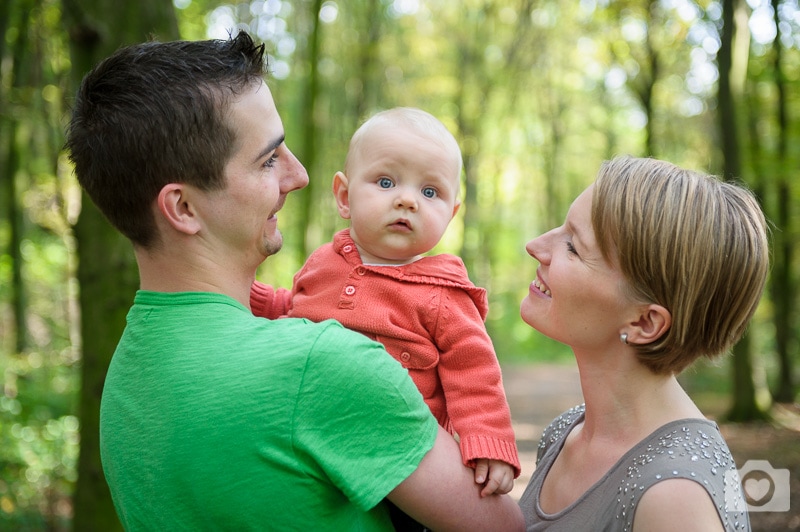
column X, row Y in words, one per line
column 688, row 242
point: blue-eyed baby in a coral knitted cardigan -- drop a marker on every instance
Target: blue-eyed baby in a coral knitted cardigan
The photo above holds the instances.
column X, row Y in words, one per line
column 399, row 190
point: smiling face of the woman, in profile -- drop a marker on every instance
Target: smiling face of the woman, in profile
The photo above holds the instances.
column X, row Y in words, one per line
column 577, row 297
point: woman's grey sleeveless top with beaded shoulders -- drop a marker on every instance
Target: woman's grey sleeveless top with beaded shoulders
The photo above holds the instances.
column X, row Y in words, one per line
column 691, row 448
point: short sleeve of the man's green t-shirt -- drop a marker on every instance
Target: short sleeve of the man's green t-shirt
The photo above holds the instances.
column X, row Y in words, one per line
column 361, row 417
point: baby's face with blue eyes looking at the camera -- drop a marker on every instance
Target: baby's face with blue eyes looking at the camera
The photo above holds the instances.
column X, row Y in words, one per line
column 403, row 192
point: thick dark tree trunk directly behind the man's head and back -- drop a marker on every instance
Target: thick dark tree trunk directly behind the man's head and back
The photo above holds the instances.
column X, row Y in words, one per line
column 107, row 273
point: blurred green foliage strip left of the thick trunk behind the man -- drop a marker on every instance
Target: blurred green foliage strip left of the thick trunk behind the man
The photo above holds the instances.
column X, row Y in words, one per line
column 39, row 432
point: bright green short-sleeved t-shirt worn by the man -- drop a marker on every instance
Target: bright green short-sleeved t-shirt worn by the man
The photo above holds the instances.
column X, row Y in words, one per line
column 214, row 419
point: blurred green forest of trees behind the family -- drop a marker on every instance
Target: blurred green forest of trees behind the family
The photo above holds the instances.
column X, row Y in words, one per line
column 538, row 93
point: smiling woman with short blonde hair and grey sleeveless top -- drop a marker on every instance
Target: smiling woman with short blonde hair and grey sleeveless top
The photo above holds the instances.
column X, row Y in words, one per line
column 655, row 267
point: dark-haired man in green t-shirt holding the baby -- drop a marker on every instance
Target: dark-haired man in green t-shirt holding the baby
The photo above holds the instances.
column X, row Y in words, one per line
column 212, row 418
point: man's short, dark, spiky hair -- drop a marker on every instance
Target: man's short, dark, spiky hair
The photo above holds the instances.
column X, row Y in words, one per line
column 156, row 113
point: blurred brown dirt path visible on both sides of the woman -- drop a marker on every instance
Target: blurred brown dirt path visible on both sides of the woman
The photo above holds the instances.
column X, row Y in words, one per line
column 538, row 393
